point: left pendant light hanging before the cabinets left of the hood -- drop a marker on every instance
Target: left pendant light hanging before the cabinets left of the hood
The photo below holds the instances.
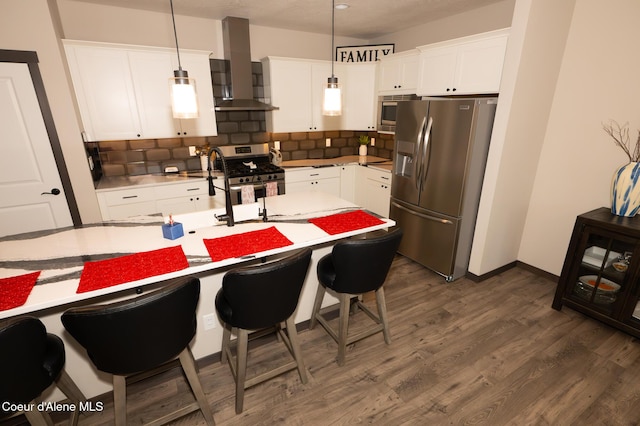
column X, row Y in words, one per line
column 184, row 100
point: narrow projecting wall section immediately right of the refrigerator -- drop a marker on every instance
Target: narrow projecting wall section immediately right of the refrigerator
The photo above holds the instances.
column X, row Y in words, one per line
column 533, row 60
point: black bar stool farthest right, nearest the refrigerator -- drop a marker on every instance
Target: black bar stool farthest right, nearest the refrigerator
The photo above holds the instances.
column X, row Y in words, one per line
column 355, row 267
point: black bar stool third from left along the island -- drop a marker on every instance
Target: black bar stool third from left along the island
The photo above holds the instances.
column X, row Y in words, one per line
column 257, row 298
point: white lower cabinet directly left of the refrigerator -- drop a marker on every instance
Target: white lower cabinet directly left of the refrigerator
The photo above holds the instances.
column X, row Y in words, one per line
column 373, row 190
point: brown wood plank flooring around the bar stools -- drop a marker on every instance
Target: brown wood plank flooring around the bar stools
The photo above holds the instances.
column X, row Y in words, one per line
column 463, row 353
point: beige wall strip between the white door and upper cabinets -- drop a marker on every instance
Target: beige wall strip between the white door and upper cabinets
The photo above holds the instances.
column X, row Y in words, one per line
column 27, row 25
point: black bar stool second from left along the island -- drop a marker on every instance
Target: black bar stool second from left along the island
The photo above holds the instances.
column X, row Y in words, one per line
column 140, row 334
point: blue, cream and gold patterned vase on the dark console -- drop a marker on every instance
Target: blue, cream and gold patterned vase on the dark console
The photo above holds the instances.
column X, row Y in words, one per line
column 625, row 190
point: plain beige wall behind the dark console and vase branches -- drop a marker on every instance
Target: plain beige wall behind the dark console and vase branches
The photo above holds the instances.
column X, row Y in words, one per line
column 598, row 81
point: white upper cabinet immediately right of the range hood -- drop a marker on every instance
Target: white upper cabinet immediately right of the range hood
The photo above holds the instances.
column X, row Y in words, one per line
column 295, row 86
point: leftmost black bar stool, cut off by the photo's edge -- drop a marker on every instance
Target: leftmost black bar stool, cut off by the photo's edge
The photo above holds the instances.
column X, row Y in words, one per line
column 31, row 360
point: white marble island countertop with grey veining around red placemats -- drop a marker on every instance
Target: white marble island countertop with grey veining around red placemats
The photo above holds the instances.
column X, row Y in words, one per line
column 60, row 254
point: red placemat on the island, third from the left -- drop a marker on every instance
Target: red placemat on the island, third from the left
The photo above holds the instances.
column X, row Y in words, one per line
column 246, row 243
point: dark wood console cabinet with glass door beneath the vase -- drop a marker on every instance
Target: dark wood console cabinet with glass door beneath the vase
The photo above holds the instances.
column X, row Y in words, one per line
column 590, row 282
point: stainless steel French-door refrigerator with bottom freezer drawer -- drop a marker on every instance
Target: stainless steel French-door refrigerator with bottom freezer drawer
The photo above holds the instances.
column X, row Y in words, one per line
column 440, row 155
